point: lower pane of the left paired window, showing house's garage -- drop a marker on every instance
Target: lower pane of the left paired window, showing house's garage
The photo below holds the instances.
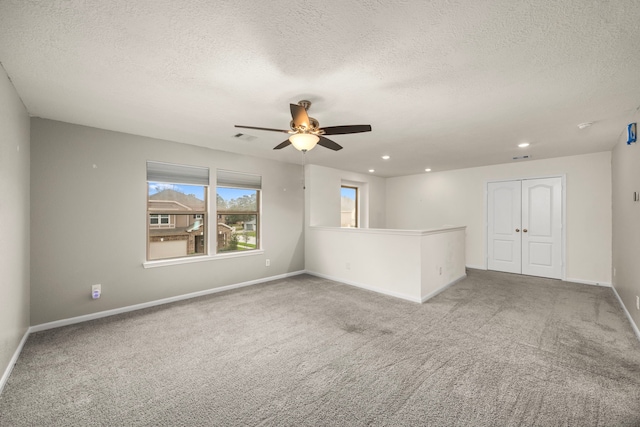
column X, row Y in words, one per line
column 180, row 236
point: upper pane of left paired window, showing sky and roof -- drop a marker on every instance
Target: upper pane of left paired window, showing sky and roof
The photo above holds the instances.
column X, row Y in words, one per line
column 175, row 197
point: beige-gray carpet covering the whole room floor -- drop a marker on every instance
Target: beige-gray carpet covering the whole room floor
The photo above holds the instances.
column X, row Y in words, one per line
column 492, row 350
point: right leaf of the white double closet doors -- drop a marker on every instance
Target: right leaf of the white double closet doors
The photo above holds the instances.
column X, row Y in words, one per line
column 542, row 227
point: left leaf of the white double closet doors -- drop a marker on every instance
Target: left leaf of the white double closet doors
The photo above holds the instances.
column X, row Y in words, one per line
column 504, row 233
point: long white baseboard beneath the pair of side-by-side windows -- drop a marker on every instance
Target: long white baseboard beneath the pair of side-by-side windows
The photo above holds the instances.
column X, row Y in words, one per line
column 106, row 313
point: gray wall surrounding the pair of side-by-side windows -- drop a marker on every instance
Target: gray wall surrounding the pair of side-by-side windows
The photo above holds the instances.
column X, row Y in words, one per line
column 88, row 223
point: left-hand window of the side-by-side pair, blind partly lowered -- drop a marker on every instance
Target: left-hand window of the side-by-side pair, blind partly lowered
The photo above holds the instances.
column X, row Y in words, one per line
column 177, row 209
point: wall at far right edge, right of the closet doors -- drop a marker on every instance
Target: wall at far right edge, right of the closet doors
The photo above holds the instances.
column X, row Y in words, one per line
column 625, row 165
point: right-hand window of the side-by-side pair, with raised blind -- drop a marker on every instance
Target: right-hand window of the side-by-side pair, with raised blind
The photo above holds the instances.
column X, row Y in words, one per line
column 238, row 211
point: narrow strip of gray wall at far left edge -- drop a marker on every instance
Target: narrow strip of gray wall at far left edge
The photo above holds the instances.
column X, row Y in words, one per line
column 14, row 221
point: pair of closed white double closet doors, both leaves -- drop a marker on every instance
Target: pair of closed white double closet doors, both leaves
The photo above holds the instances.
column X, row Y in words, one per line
column 524, row 227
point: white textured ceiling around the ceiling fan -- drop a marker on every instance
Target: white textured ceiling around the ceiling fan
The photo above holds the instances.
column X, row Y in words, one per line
column 444, row 84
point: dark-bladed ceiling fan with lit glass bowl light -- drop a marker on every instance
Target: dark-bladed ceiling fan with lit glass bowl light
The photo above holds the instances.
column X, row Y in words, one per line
column 306, row 131
